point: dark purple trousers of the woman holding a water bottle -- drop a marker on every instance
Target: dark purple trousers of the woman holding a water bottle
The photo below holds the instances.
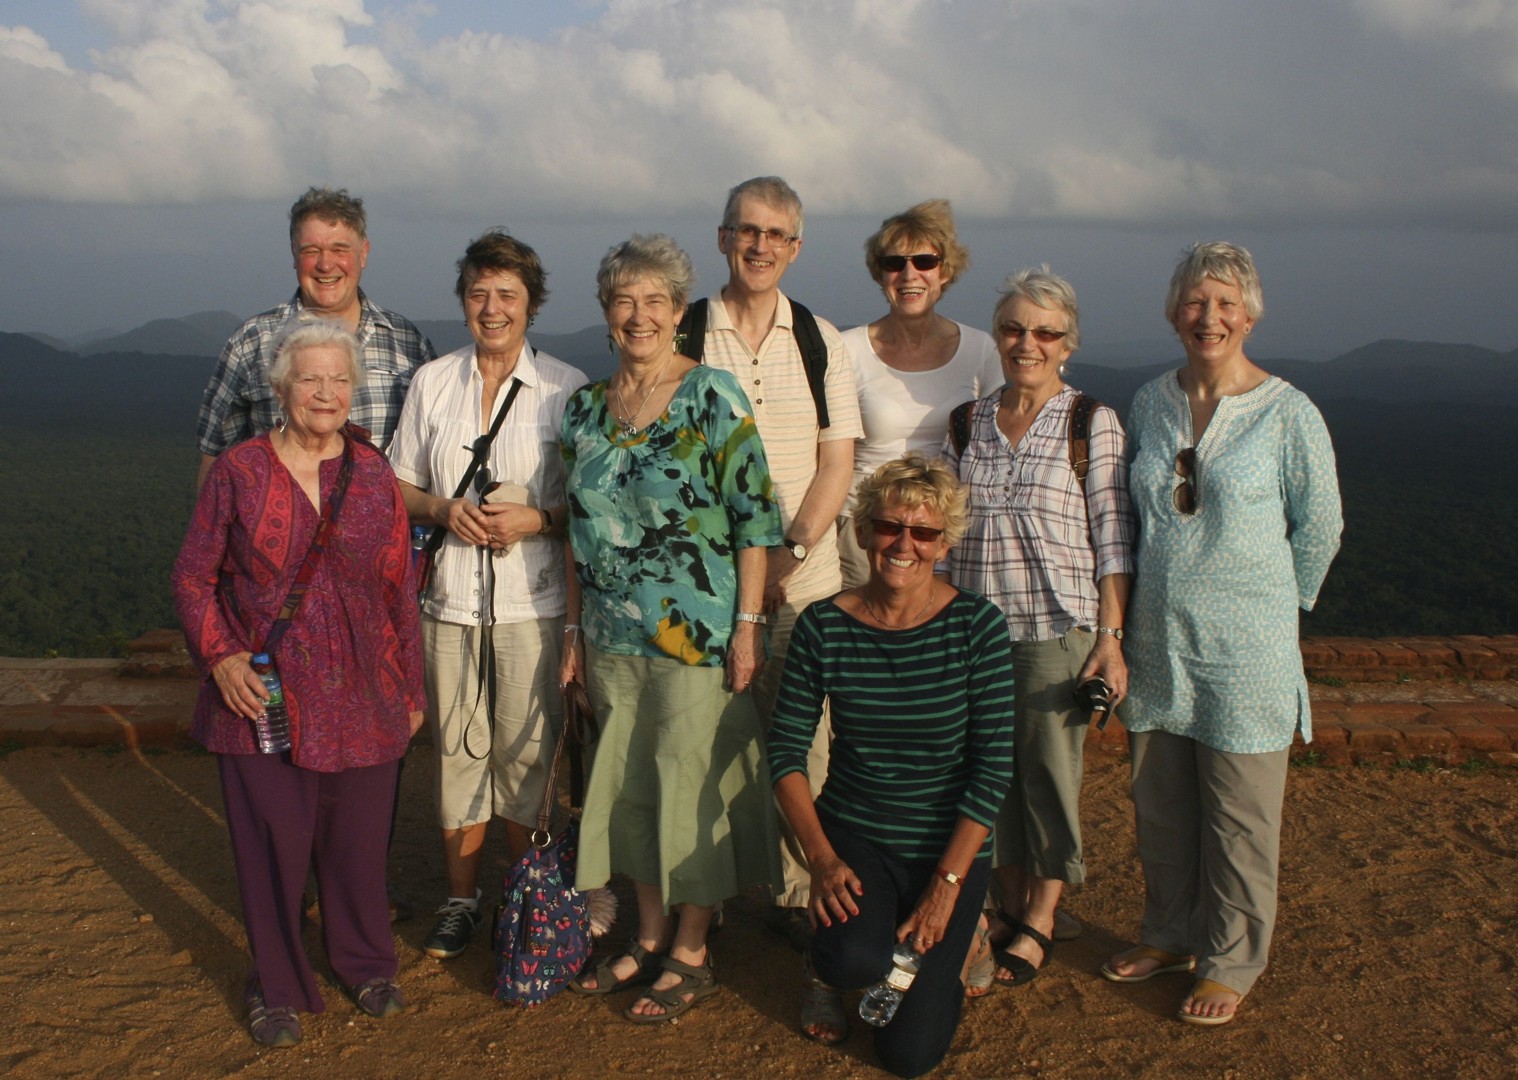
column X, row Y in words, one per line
column 285, row 819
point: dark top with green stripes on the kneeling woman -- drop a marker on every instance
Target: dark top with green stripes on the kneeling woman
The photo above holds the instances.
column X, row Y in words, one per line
column 922, row 721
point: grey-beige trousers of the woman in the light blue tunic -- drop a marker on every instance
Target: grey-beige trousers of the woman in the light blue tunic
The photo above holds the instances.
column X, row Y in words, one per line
column 1211, row 842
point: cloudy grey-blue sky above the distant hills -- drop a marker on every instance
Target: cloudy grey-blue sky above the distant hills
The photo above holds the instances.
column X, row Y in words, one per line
column 1367, row 151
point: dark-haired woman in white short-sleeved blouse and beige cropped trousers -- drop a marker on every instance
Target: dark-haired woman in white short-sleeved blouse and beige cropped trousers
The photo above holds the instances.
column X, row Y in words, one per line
column 493, row 621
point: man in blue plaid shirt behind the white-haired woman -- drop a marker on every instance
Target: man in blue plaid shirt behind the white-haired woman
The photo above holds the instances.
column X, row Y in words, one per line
column 330, row 244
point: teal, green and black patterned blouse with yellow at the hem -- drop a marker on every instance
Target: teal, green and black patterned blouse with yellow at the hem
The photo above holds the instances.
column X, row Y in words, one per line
column 657, row 519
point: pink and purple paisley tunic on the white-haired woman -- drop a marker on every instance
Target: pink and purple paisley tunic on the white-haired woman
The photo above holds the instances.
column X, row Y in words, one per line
column 351, row 662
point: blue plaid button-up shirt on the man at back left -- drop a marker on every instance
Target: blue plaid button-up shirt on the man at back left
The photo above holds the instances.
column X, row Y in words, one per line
column 239, row 402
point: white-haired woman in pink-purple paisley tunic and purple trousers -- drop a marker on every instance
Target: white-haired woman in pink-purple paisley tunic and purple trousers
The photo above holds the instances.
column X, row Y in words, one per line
column 351, row 669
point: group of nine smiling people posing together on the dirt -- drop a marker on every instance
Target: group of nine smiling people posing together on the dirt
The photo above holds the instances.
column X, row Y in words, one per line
column 871, row 581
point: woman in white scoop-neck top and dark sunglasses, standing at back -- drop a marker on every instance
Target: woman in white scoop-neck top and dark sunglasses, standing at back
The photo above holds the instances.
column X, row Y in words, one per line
column 912, row 365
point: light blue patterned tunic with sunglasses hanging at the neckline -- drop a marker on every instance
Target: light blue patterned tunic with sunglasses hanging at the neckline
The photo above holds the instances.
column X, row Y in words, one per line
column 1212, row 634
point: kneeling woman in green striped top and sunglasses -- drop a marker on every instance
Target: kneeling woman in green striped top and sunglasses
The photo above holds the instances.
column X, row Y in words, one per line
column 919, row 681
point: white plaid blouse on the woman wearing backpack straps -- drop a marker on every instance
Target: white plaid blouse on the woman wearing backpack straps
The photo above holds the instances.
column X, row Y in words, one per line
column 1035, row 546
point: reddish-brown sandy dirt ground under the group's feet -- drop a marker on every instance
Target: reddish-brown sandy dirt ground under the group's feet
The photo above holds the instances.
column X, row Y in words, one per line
column 124, row 952
